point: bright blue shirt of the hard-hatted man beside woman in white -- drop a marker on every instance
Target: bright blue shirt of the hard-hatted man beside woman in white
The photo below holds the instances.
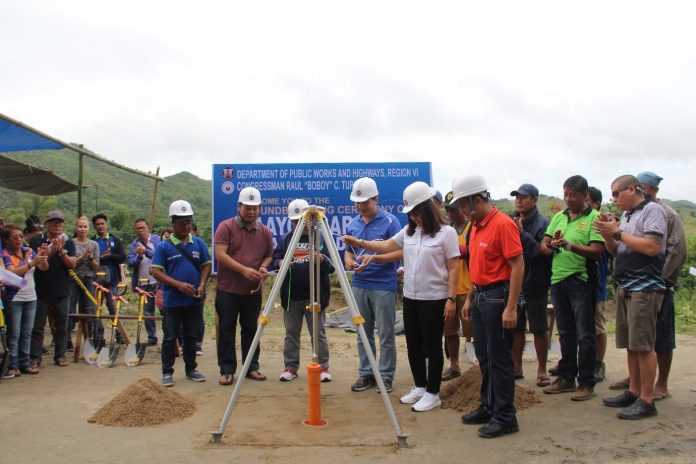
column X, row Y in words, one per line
column 382, row 227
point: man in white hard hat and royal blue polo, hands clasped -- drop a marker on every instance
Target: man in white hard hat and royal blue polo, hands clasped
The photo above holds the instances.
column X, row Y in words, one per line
column 181, row 264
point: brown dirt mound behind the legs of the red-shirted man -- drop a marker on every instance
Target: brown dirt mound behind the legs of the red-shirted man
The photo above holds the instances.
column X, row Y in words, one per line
column 462, row 393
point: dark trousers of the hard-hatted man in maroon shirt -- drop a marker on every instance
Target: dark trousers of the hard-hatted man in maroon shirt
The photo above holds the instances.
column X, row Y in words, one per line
column 230, row 307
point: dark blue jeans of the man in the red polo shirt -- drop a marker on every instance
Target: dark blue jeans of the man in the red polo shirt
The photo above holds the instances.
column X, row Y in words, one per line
column 493, row 346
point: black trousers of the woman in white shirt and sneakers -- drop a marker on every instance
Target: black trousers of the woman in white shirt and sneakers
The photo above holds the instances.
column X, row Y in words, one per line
column 423, row 326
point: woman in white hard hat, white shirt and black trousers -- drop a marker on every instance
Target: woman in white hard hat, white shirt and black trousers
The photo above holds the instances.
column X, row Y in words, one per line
column 431, row 256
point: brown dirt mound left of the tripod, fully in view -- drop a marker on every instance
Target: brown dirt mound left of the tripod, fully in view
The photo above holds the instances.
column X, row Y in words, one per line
column 144, row 403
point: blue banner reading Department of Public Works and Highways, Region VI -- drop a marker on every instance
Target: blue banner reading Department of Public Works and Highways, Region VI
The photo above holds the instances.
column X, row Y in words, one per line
column 322, row 184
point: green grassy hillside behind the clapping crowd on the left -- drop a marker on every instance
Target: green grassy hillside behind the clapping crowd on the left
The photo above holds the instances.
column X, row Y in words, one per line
column 122, row 195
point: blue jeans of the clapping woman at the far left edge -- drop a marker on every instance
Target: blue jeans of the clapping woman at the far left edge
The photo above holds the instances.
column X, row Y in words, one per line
column 20, row 322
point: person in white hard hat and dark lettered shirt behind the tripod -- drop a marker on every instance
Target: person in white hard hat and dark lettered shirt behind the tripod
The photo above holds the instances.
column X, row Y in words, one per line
column 295, row 296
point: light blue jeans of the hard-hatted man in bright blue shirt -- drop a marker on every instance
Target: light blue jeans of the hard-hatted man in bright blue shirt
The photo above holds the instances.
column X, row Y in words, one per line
column 377, row 307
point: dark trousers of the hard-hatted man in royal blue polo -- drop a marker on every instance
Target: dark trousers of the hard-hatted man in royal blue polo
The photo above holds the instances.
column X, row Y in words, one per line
column 186, row 316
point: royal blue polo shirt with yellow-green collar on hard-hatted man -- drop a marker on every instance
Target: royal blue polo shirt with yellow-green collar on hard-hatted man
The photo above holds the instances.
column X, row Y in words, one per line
column 168, row 258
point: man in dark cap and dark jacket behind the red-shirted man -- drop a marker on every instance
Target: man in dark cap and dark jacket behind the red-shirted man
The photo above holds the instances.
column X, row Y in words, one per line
column 535, row 284
